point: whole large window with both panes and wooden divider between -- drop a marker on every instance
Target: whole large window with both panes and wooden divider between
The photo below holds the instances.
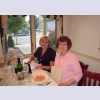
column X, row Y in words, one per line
column 27, row 34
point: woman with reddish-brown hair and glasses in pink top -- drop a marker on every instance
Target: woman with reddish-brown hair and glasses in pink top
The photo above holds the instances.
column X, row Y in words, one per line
column 71, row 70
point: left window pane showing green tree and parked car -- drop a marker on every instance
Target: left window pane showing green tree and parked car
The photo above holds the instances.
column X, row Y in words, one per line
column 18, row 34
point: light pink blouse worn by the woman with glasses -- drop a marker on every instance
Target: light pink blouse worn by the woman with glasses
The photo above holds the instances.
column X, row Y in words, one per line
column 70, row 67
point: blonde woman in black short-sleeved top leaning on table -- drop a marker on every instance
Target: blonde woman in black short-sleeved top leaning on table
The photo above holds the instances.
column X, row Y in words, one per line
column 44, row 54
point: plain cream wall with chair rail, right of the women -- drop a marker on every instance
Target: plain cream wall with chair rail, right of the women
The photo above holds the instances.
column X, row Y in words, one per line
column 84, row 31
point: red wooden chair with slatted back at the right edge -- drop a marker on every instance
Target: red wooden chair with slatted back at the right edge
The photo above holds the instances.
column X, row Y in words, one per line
column 93, row 79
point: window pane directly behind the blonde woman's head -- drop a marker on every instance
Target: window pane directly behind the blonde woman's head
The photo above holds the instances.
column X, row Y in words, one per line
column 45, row 26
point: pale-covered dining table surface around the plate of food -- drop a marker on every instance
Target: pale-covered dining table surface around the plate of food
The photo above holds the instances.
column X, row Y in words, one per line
column 34, row 73
